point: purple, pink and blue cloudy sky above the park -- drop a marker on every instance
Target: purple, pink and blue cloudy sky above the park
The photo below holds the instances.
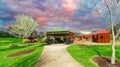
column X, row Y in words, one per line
column 74, row 15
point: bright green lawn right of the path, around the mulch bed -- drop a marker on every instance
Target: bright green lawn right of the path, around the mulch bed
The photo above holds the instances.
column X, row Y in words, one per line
column 85, row 54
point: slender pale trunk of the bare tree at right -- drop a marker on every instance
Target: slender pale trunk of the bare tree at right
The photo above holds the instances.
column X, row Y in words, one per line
column 113, row 46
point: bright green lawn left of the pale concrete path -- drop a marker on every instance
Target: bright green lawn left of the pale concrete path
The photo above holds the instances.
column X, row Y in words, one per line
column 27, row 60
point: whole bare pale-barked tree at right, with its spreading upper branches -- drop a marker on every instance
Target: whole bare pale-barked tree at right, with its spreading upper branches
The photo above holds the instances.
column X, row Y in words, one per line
column 111, row 9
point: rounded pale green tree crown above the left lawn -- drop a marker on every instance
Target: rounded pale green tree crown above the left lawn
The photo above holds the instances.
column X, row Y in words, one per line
column 23, row 27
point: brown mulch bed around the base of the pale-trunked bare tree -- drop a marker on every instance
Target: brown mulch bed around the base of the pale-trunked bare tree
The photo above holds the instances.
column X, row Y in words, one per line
column 105, row 62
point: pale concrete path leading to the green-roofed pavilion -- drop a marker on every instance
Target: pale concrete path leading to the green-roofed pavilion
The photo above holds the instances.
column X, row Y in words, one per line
column 56, row 56
